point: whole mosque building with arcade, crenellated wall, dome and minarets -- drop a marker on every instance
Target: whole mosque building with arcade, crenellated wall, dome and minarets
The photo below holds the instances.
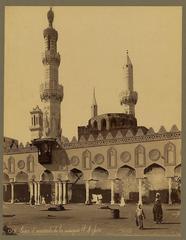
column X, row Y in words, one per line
column 112, row 156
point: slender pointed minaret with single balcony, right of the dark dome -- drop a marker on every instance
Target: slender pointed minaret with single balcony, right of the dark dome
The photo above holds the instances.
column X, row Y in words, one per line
column 128, row 97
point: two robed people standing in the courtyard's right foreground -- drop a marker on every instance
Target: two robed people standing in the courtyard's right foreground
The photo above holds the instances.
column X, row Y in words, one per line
column 157, row 212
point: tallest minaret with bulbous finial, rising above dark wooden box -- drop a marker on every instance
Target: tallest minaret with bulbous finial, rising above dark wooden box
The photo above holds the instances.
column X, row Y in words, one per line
column 51, row 92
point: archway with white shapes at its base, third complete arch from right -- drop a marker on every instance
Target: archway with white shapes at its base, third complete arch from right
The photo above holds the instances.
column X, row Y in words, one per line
column 100, row 184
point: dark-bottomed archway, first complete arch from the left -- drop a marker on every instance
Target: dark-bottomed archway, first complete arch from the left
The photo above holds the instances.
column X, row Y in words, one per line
column 21, row 188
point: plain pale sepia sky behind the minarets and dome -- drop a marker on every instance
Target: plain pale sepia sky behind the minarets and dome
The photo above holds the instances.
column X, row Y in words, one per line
column 92, row 42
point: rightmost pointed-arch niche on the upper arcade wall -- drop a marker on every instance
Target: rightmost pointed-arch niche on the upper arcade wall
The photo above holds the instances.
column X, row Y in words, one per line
column 170, row 154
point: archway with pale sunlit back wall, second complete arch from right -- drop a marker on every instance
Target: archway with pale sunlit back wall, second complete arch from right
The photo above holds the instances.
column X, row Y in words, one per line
column 127, row 185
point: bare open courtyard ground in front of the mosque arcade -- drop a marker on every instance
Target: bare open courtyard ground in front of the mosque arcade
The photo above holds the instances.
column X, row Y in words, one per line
column 79, row 219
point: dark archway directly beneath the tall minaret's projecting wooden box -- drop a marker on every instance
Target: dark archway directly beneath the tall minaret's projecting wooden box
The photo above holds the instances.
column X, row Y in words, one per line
column 47, row 188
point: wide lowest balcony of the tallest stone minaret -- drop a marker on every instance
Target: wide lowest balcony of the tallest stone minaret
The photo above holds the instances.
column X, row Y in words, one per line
column 49, row 93
